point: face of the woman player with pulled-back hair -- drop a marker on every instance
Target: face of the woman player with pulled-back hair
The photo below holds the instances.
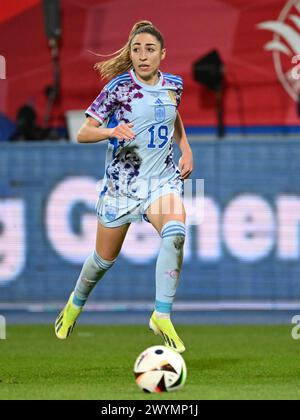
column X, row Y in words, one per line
column 146, row 54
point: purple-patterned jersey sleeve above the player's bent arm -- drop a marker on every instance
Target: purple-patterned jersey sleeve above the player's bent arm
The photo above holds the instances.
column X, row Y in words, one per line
column 103, row 107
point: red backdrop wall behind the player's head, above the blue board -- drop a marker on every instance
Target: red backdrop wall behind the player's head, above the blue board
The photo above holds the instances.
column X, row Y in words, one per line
column 254, row 93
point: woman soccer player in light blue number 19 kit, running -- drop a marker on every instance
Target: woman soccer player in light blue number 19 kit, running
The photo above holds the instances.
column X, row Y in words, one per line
column 137, row 112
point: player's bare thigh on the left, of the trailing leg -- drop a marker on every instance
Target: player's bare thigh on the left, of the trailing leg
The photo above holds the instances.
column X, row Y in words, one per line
column 109, row 240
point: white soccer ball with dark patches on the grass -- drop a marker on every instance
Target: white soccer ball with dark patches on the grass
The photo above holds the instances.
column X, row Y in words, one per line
column 159, row 369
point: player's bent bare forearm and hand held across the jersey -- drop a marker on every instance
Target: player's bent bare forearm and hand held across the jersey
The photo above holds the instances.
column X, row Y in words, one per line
column 92, row 132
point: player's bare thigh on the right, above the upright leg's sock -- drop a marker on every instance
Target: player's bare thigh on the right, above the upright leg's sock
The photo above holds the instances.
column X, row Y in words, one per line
column 164, row 209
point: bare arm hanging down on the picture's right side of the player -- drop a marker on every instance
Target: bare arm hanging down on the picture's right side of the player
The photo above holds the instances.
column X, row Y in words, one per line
column 186, row 160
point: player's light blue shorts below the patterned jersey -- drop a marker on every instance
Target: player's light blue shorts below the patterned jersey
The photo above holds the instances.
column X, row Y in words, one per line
column 114, row 212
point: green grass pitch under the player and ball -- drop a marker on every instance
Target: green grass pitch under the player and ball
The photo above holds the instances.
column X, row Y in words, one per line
column 223, row 362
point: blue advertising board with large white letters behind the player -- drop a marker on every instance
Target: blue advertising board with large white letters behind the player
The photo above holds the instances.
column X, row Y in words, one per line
column 244, row 247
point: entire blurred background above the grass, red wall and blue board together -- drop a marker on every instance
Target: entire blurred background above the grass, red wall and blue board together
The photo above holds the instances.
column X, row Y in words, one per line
column 242, row 262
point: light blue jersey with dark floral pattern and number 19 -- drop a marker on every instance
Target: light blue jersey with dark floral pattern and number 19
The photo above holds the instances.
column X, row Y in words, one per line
column 135, row 168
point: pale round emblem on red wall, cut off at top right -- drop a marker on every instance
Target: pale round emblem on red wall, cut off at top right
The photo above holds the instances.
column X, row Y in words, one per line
column 285, row 46
